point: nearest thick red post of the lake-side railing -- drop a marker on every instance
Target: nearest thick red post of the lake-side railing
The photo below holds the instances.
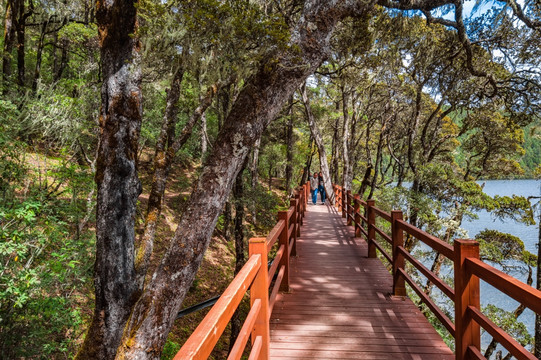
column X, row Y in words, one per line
column 467, row 331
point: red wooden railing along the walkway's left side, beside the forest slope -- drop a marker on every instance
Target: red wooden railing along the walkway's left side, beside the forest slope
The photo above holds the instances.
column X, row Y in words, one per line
column 257, row 277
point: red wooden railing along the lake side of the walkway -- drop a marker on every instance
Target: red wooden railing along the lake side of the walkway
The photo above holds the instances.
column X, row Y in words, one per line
column 468, row 270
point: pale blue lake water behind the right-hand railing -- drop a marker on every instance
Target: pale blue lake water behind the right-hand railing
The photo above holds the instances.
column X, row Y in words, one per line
column 528, row 234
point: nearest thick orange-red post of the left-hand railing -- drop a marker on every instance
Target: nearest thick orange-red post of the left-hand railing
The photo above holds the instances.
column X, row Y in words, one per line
column 260, row 290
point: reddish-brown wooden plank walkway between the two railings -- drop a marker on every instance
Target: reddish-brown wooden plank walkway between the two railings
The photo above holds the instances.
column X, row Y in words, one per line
column 339, row 305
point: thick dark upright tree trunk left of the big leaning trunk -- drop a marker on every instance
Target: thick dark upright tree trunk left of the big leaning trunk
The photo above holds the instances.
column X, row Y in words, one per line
column 116, row 178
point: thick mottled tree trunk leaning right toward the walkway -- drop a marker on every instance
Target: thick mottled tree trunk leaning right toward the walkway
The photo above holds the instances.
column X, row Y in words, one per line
column 257, row 104
